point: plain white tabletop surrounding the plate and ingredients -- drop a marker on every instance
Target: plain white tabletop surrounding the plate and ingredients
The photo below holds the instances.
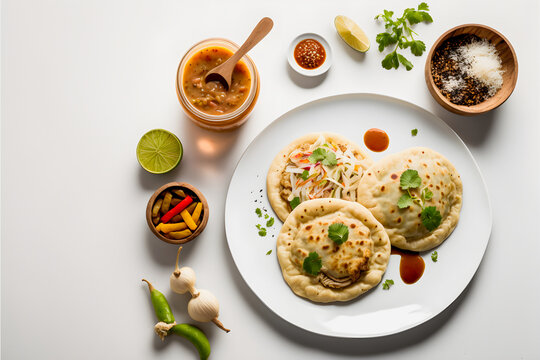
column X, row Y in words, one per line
column 83, row 80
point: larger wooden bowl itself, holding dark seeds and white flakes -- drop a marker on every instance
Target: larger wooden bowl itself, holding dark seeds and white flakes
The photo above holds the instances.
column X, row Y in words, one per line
column 509, row 65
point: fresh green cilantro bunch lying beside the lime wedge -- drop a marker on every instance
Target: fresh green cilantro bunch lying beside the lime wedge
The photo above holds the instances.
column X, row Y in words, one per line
column 401, row 34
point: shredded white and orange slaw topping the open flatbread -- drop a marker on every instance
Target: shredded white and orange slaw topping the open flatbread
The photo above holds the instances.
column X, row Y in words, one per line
column 338, row 181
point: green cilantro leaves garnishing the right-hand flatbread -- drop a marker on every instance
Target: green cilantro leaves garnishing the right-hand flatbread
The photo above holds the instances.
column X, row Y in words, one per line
column 430, row 216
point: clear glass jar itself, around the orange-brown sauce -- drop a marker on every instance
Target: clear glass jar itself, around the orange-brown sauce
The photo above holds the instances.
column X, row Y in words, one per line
column 219, row 122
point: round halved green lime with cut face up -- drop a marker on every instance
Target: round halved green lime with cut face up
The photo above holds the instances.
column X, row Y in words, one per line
column 159, row 151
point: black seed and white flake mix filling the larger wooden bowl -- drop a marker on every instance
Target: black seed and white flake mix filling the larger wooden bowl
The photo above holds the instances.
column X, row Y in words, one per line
column 467, row 69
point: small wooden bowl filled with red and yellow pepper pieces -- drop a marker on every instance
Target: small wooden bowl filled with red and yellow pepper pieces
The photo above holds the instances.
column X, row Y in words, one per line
column 177, row 213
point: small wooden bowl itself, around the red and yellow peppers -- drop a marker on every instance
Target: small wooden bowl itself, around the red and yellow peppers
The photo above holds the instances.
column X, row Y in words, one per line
column 189, row 189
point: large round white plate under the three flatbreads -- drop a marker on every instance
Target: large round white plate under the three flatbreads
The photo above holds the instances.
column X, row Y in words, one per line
column 379, row 312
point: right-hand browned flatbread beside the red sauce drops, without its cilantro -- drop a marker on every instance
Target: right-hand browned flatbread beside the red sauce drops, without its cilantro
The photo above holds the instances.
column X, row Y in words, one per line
column 379, row 191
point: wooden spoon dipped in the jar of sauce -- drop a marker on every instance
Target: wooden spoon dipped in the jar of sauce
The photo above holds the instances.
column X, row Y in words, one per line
column 223, row 72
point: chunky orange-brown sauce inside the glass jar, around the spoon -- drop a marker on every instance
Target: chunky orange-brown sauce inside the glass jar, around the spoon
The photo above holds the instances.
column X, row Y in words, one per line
column 212, row 97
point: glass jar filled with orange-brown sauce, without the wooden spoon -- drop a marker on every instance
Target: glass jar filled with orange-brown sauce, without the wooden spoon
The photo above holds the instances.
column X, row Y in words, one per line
column 210, row 105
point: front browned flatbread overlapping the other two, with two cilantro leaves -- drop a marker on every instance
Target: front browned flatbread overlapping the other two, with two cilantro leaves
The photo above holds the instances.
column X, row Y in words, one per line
column 348, row 269
